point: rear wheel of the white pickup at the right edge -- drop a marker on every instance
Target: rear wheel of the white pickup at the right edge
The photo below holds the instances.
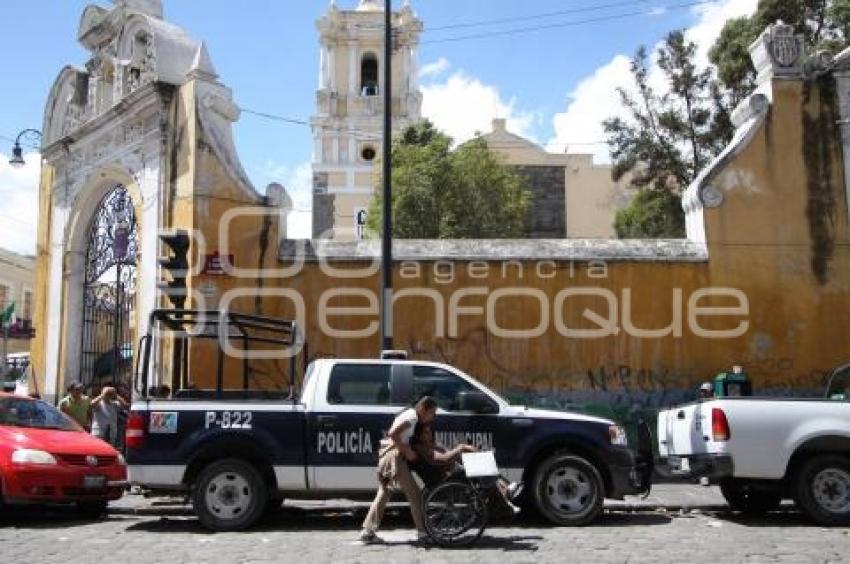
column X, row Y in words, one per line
column 822, row 487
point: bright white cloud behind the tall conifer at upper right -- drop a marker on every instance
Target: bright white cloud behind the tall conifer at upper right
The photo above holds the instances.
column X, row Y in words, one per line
column 595, row 98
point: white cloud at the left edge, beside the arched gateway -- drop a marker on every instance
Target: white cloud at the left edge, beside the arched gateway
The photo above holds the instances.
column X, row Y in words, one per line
column 19, row 211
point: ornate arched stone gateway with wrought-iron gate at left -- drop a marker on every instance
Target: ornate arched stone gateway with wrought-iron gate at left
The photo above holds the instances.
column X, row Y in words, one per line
column 136, row 142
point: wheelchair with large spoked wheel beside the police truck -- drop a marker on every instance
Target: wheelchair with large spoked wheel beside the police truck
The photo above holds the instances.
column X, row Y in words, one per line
column 457, row 510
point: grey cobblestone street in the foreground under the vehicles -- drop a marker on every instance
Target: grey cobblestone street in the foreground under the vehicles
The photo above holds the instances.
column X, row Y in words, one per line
column 692, row 526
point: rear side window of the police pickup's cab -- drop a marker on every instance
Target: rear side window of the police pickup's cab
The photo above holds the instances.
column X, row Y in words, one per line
column 359, row 384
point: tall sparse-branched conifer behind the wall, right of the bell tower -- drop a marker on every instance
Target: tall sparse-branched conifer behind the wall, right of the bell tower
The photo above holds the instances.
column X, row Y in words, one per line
column 666, row 138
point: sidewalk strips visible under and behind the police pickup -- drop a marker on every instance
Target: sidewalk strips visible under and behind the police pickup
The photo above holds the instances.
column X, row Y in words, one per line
column 669, row 497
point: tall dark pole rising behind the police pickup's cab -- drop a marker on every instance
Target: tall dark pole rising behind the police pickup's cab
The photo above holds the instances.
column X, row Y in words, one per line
column 387, row 232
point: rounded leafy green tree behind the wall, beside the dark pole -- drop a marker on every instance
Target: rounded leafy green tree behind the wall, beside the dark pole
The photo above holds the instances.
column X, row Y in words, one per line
column 443, row 194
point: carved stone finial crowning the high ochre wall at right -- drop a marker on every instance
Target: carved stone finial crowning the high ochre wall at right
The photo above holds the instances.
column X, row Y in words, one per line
column 778, row 52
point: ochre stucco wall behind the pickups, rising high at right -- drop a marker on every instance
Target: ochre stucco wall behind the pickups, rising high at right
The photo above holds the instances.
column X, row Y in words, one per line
column 779, row 239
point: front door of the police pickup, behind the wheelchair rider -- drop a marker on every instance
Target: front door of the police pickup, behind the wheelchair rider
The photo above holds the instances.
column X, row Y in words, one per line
column 453, row 426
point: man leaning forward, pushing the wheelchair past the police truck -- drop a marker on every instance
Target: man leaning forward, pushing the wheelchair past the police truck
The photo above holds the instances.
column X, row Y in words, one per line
column 394, row 458
